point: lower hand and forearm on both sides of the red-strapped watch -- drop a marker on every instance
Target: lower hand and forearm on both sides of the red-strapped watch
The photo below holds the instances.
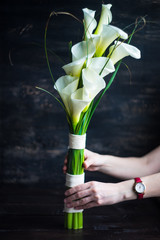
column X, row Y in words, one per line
column 93, row 194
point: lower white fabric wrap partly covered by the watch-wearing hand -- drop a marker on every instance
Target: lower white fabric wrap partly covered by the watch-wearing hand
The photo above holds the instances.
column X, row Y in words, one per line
column 72, row 181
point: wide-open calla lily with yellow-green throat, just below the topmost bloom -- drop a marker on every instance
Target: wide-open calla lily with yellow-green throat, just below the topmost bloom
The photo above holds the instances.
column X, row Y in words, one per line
column 108, row 35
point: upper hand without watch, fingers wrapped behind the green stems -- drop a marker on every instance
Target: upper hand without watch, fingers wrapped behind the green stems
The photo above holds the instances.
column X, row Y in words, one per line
column 93, row 161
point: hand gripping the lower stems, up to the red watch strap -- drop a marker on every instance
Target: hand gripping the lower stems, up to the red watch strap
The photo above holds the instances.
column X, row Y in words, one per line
column 93, row 194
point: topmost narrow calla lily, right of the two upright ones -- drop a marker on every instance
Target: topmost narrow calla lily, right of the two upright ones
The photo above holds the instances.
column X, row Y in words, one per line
column 105, row 18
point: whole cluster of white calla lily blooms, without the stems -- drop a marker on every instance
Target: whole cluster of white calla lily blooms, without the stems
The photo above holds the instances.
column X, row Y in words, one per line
column 89, row 66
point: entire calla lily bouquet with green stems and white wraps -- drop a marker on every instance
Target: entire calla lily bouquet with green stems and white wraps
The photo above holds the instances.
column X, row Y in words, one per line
column 84, row 83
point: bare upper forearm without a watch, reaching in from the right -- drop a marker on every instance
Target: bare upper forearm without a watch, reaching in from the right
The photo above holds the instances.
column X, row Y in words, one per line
column 131, row 167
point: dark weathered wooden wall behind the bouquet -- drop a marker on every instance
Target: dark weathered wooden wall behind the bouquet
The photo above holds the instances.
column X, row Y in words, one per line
column 34, row 131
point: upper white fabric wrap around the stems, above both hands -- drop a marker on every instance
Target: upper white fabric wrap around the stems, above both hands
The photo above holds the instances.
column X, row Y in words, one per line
column 77, row 141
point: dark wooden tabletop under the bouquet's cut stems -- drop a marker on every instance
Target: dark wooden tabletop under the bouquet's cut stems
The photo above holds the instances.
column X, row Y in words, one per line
column 37, row 213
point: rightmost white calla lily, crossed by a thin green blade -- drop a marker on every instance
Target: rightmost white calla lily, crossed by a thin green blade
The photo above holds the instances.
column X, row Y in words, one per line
column 120, row 50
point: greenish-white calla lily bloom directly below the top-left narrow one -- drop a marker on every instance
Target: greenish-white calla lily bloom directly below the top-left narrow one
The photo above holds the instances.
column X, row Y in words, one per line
column 83, row 49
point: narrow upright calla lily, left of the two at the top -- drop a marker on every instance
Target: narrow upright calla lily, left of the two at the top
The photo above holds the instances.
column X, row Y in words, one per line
column 89, row 21
